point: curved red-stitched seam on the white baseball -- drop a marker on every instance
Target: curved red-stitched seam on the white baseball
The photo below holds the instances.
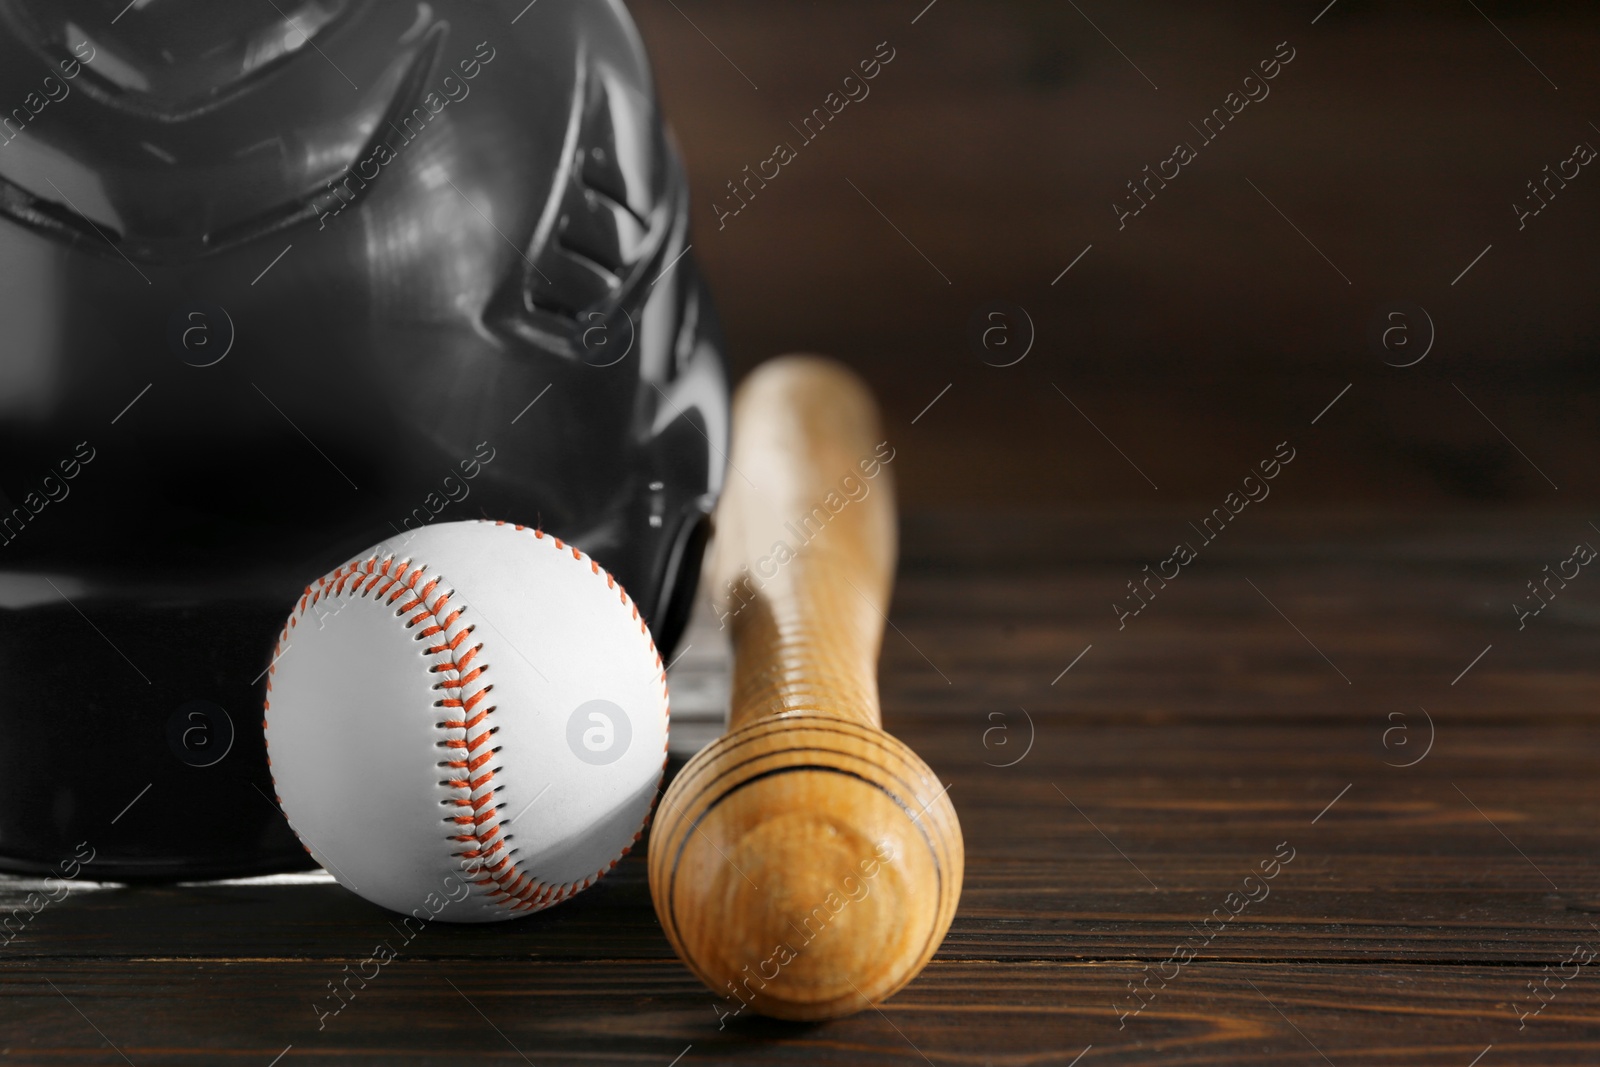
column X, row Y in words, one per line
column 468, row 735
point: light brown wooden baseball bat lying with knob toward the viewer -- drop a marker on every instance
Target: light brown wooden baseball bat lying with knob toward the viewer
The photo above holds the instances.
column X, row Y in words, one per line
column 806, row 865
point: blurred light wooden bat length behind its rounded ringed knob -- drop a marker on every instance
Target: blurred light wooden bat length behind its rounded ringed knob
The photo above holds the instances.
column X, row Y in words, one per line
column 804, row 559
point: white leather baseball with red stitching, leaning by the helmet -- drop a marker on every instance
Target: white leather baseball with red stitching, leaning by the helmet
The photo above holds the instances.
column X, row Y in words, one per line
column 470, row 725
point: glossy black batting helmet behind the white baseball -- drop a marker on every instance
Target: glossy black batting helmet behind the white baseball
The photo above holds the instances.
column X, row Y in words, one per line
column 279, row 282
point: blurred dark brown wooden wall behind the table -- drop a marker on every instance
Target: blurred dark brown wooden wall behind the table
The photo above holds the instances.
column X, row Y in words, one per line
column 1233, row 310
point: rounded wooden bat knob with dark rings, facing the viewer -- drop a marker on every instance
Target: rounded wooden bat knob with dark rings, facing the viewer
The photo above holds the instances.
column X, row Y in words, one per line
column 806, row 866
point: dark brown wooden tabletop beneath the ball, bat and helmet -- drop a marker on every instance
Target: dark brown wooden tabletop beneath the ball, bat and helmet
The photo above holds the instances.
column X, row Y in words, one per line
column 1351, row 692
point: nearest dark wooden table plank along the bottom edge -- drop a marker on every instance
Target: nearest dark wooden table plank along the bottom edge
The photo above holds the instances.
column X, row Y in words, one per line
column 614, row 1012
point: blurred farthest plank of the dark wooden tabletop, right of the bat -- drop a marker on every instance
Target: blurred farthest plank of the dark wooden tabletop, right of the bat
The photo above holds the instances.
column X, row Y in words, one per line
column 1401, row 607
